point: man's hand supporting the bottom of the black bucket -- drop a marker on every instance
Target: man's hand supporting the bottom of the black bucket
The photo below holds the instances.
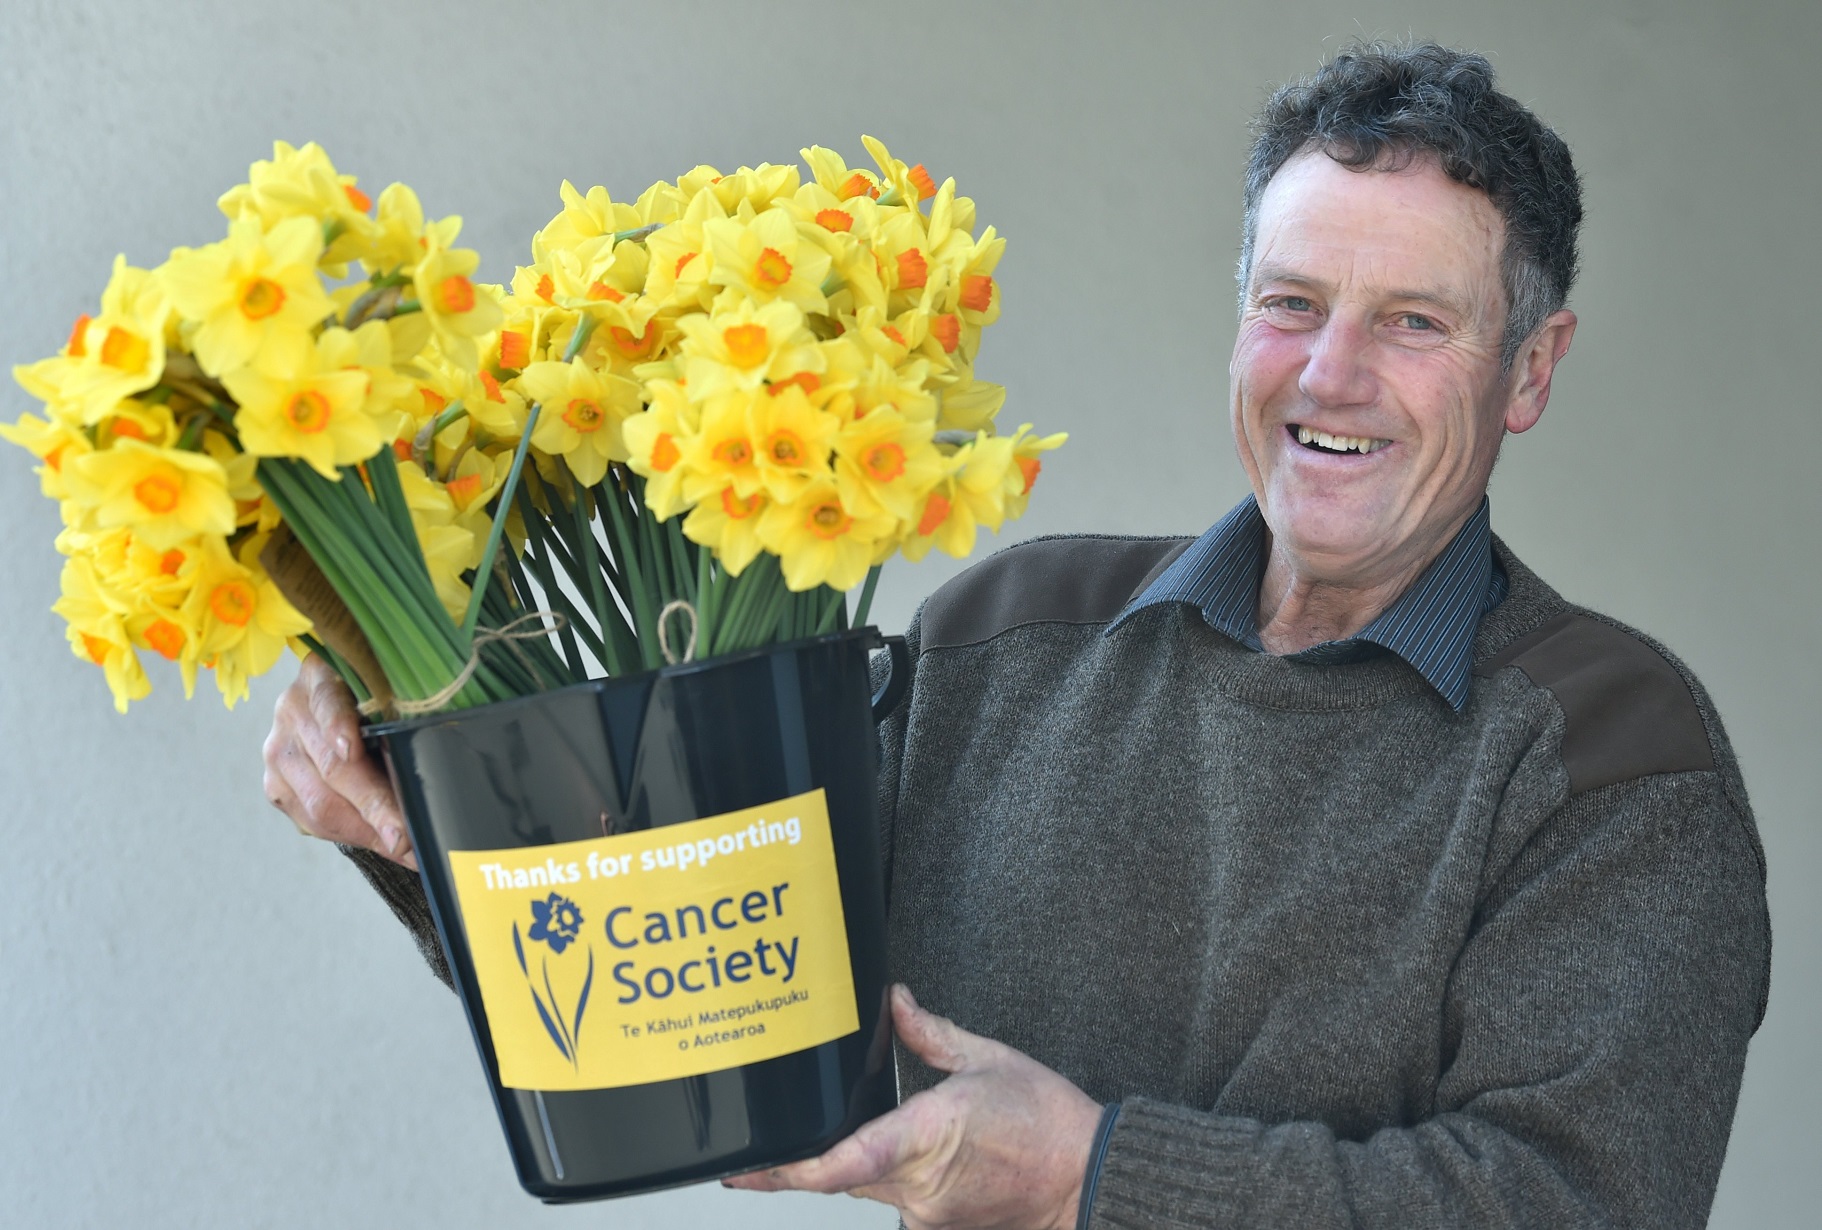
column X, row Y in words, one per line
column 1001, row 1143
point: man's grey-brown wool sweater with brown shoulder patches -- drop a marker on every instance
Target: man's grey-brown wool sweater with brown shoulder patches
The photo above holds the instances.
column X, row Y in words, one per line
column 1344, row 956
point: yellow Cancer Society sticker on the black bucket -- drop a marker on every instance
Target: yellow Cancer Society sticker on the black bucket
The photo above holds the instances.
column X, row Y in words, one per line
column 664, row 954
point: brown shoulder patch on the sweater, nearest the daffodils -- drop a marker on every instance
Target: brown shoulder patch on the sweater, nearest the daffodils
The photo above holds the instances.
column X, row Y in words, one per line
column 1049, row 580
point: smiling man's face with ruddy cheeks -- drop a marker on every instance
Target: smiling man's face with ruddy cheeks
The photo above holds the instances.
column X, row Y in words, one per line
column 1367, row 393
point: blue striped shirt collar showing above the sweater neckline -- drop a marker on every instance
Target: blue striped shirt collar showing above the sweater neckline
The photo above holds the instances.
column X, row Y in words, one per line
column 1431, row 626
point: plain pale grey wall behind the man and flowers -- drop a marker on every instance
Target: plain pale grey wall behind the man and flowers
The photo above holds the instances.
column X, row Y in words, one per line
column 207, row 1021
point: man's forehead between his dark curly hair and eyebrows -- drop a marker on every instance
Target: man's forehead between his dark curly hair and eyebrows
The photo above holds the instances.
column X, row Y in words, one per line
column 1411, row 229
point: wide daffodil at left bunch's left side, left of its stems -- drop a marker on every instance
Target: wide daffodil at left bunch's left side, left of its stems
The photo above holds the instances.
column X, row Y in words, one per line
column 165, row 495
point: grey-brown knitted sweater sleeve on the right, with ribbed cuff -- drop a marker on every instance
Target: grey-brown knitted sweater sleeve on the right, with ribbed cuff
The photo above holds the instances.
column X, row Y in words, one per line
column 1595, row 1030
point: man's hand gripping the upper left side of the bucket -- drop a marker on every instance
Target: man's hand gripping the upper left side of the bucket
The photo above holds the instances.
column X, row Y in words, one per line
column 320, row 775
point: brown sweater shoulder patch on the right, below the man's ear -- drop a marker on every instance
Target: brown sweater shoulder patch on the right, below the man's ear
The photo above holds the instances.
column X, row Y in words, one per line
column 1628, row 712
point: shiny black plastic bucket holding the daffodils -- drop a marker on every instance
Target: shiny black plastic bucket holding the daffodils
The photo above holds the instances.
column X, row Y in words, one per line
column 630, row 757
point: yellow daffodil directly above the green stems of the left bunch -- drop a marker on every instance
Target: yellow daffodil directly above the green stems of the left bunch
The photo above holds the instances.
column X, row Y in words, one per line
column 316, row 416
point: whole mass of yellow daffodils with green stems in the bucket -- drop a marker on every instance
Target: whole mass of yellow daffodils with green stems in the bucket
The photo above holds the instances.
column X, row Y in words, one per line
column 739, row 396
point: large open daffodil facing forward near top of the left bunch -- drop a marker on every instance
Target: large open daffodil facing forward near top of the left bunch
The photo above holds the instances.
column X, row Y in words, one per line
column 256, row 298
